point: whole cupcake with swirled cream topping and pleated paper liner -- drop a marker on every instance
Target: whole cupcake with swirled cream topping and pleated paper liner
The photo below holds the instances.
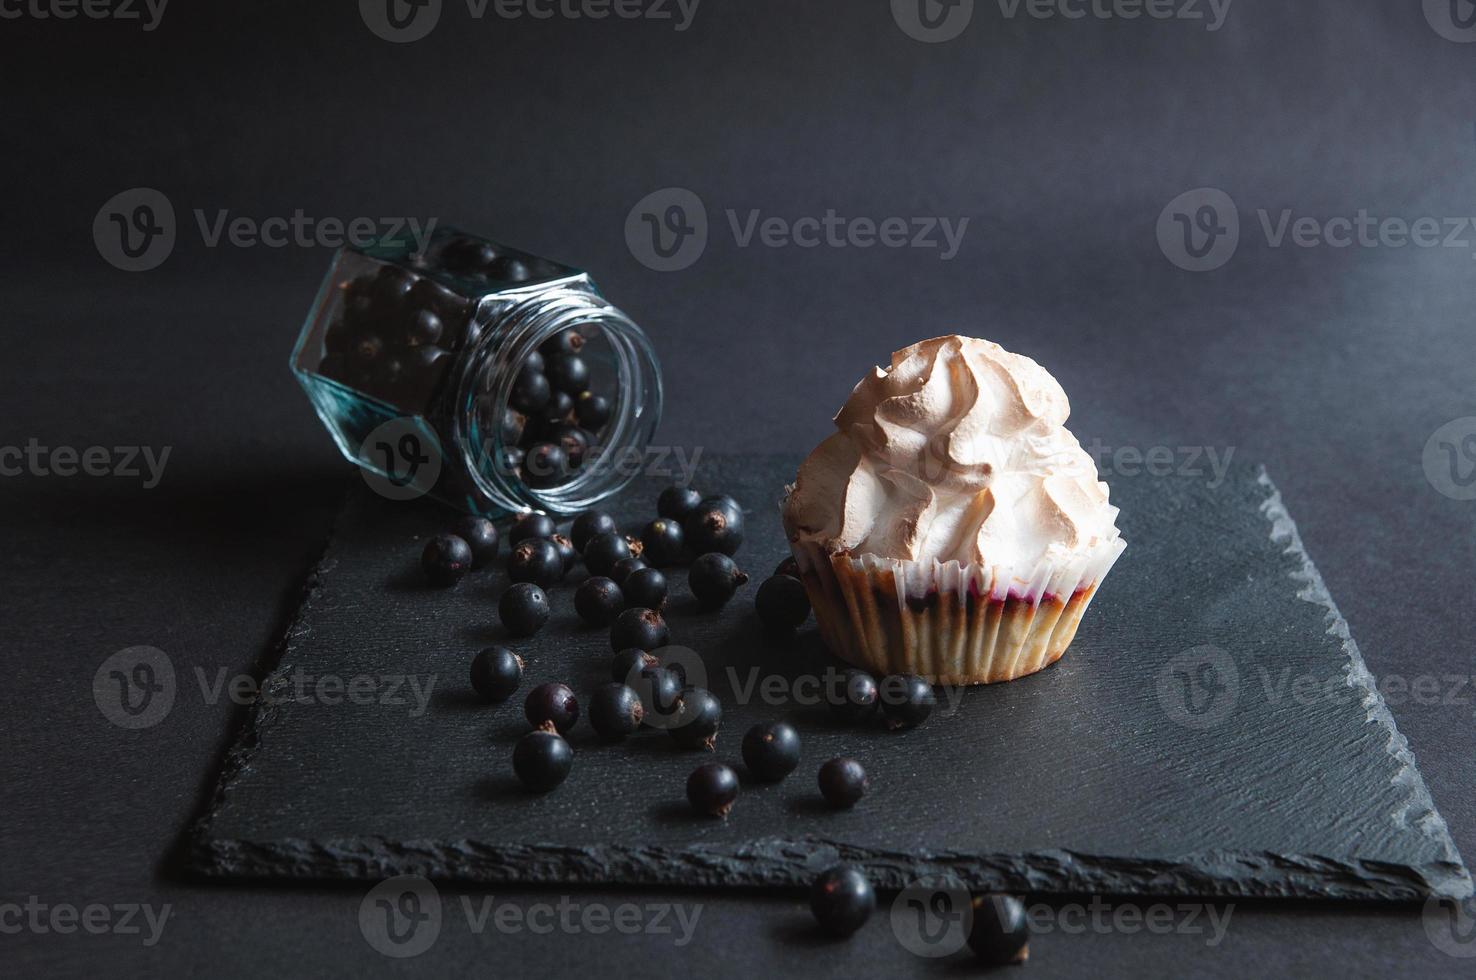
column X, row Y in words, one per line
column 953, row 528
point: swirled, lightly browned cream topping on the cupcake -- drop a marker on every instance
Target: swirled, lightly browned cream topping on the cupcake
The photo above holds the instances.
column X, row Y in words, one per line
column 959, row 452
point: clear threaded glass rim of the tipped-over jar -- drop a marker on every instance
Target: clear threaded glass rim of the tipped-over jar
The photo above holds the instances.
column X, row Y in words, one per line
column 513, row 334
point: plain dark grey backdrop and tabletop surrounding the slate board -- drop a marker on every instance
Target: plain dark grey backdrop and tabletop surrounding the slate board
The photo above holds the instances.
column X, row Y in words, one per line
column 1061, row 141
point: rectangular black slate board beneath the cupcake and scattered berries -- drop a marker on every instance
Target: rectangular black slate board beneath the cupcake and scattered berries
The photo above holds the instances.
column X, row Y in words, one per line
column 1086, row 779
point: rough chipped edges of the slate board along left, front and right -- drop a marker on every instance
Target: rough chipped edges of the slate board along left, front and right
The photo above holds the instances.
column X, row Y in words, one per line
column 777, row 863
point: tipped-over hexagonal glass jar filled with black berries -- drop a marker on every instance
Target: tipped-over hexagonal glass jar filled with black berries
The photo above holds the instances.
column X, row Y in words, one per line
column 489, row 379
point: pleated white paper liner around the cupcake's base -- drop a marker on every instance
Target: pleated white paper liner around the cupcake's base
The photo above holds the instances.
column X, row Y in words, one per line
column 950, row 622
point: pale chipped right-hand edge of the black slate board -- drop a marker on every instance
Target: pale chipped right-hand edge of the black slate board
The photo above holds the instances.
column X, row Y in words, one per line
column 1419, row 811
